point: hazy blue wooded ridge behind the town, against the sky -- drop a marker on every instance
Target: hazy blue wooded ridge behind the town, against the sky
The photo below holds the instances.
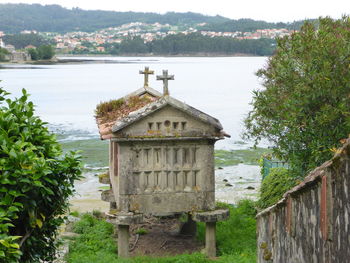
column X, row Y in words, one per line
column 54, row 18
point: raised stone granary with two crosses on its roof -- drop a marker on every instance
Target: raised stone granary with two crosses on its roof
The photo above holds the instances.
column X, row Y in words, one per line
column 161, row 159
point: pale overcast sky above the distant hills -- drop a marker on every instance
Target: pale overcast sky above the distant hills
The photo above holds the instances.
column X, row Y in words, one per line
column 268, row 10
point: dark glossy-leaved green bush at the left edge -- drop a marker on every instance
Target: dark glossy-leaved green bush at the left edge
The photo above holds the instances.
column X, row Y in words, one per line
column 36, row 181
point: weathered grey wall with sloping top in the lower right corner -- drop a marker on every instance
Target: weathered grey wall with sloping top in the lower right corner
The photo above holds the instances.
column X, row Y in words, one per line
column 311, row 223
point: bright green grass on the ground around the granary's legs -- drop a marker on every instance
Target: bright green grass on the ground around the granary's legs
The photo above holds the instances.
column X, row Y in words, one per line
column 236, row 241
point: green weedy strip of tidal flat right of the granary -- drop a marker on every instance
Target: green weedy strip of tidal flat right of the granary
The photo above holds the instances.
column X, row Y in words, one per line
column 234, row 157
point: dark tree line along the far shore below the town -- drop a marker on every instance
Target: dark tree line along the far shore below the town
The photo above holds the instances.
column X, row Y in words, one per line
column 191, row 44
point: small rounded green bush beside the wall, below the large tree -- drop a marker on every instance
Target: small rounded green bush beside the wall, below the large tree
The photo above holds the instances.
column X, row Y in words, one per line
column 279, row 181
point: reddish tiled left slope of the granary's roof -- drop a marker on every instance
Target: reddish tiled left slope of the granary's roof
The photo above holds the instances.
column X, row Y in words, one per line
column 106, row 120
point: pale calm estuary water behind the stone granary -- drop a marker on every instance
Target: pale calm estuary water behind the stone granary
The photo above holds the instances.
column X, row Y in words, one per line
column 66, row 95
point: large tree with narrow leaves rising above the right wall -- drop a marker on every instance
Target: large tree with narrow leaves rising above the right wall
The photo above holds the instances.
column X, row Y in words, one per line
column 304, row 108
